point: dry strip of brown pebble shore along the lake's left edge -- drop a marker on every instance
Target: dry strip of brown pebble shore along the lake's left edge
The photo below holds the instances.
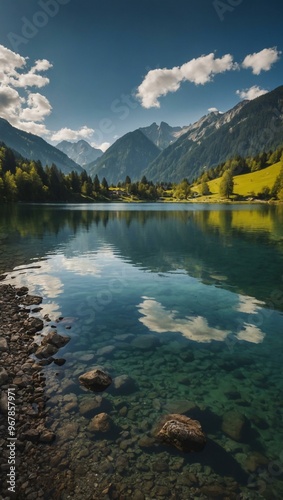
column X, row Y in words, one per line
column 22, row 400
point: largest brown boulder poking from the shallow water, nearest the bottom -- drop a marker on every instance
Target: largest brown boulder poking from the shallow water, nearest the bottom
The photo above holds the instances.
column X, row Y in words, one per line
column 181, row 432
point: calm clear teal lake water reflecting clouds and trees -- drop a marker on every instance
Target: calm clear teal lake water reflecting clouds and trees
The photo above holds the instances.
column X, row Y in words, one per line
column 186, row 302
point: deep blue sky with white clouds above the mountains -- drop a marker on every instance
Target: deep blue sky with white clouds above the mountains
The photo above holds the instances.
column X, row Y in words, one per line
column 73, row 69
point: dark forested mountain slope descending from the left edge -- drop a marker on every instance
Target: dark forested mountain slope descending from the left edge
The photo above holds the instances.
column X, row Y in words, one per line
column 32, row 147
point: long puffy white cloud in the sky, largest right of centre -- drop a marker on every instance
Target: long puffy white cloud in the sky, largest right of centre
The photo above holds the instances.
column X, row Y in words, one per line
column 159, row 82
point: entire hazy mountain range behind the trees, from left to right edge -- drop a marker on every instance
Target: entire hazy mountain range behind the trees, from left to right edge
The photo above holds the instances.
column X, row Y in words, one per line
column 165, row 153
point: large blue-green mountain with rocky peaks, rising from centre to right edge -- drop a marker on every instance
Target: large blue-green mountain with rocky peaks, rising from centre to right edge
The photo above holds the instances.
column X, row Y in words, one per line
column 249, row 128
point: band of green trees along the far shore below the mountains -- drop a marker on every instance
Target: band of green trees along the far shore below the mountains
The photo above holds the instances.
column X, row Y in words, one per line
column 27, row 181
